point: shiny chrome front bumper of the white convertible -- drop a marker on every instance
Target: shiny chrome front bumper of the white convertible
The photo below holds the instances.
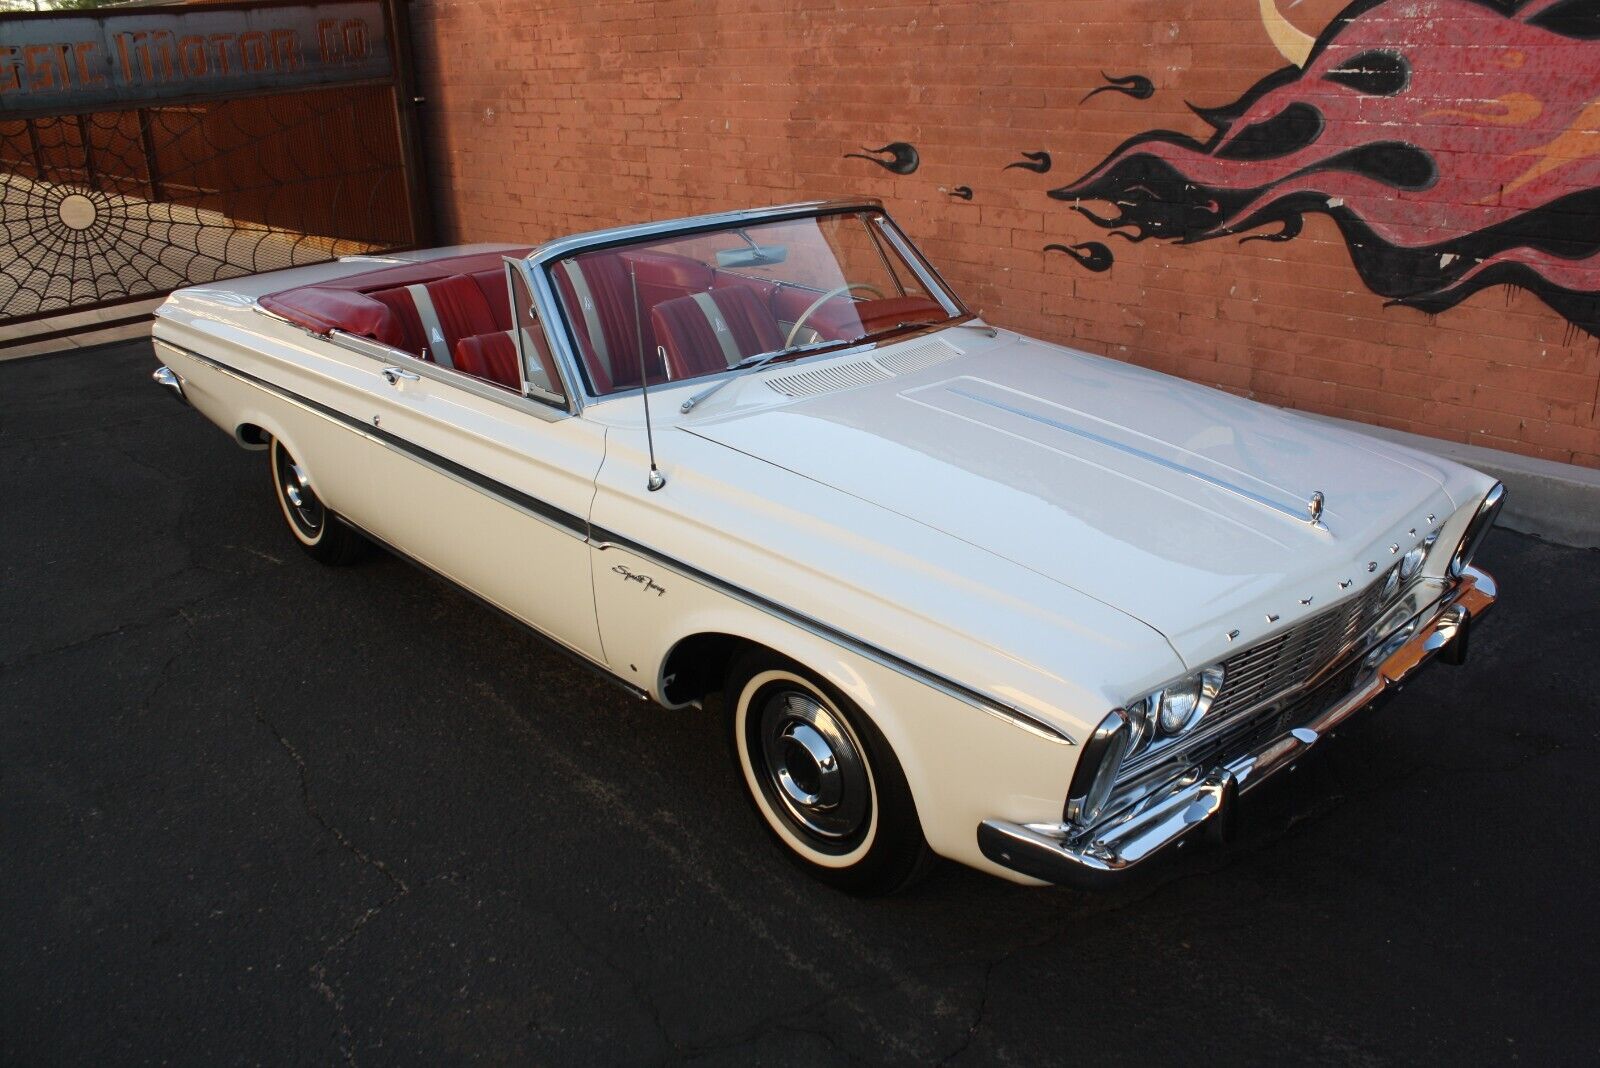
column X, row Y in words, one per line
column 1206, row 800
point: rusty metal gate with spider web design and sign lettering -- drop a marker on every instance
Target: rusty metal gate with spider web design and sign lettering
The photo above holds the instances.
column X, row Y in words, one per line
column 159, row 148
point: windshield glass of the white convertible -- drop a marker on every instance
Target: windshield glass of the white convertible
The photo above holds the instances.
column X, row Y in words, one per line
column 690, row 306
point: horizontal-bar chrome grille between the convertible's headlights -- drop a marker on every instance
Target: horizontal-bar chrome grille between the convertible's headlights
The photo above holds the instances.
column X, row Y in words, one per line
column 1298, row 655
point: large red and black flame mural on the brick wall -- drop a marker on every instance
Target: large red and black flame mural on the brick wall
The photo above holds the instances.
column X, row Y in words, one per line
column 1454, row 143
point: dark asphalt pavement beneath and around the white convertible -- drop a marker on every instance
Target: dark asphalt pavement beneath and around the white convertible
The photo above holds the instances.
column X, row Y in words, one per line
column 260, row 811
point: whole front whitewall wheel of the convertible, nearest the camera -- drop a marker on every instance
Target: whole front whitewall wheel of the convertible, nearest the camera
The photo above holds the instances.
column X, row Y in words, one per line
column 823, row 779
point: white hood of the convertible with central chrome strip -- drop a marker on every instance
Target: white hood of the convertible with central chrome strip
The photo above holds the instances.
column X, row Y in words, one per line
column 1177, row 504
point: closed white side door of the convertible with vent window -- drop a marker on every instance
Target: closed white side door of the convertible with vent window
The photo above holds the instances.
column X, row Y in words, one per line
column 487, row 485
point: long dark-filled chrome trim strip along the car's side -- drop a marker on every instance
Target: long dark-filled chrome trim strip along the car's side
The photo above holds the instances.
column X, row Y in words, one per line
column 602, row 540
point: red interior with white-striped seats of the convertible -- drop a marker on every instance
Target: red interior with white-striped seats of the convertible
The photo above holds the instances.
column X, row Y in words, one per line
column 473, row 314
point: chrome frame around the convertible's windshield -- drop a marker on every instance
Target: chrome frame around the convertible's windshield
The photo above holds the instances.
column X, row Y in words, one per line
column 561, row 332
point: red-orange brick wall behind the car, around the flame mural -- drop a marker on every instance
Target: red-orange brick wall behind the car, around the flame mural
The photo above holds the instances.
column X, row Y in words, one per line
column 615, row 111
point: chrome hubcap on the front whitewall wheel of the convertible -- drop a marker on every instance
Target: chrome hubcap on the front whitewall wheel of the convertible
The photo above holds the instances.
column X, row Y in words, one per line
column 814, row 768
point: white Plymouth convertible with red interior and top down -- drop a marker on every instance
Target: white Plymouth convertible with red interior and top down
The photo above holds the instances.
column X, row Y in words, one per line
column 961, row 592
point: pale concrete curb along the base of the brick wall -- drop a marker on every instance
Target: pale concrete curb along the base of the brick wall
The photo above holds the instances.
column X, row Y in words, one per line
column 1559, row 503
